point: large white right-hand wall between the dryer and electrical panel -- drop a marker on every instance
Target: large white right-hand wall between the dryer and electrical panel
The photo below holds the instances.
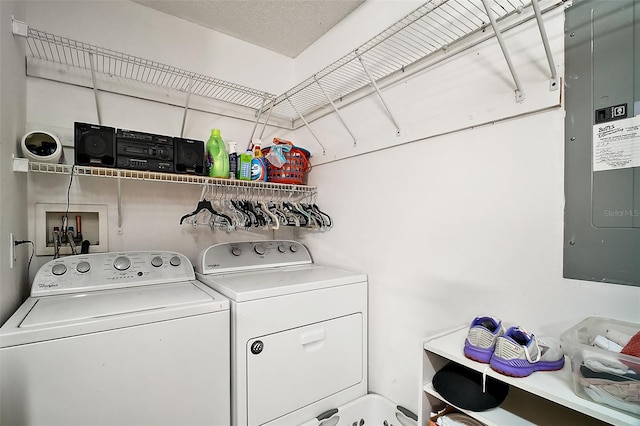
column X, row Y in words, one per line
column 463, row 224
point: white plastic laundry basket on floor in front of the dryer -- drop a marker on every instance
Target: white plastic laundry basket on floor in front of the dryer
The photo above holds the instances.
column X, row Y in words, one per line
column 370, row 410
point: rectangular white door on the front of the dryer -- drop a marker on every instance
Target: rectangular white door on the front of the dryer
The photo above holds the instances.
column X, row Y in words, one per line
column 294, row 368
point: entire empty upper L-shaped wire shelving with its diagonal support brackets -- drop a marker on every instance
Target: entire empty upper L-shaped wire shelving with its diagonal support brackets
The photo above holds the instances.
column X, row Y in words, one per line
column 412, row 43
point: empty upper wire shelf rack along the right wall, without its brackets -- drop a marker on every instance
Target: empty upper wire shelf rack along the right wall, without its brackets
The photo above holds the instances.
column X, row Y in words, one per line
column 432, row 28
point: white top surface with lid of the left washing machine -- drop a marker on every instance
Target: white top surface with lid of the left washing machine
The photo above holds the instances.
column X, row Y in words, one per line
column 66, row 315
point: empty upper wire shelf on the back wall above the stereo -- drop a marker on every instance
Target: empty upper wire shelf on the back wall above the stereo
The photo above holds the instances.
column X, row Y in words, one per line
column 62, row 50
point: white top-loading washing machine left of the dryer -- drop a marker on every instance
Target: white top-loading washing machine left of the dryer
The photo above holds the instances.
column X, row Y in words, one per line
column 117, row 339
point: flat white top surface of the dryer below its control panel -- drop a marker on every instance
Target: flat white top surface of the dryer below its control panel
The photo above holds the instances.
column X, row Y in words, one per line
column 252, row 285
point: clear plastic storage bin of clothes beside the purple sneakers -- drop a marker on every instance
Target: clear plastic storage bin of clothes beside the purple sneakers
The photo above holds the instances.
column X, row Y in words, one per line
column 606, row 377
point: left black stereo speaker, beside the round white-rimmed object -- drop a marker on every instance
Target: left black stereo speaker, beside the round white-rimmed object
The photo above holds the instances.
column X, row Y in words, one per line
column 94, row 145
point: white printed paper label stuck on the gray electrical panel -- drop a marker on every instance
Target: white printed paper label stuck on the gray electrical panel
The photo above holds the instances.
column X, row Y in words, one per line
column 616, row 144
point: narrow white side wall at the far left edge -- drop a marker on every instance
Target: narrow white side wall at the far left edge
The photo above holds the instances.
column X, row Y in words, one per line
column 13, row 190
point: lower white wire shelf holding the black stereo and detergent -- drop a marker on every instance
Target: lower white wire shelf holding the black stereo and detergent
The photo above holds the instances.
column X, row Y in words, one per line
column 231, row 186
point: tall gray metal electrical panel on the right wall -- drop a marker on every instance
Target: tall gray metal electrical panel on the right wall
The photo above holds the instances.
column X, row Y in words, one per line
column 602, row 141
